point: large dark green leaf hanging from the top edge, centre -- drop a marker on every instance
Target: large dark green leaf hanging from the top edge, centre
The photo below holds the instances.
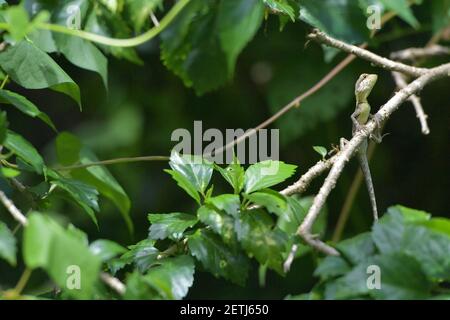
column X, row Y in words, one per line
column 203, row 41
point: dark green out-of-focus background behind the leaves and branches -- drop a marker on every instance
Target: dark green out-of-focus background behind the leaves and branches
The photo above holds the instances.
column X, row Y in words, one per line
column 145, row 102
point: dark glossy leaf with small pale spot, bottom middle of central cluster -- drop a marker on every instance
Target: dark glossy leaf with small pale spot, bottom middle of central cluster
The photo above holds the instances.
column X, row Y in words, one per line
column 218, row 258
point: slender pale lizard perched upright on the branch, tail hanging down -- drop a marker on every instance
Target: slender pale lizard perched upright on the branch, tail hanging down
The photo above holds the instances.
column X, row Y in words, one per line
column 360, row 116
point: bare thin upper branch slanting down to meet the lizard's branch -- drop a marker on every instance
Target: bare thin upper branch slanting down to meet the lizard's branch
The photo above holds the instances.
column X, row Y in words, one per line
column 385, row 63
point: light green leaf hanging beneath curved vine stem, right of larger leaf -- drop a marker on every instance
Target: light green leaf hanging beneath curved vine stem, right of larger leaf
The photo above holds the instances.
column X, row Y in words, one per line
column 83, row 54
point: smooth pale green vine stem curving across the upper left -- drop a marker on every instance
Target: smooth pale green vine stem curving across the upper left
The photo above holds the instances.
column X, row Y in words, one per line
column 113, row 42
